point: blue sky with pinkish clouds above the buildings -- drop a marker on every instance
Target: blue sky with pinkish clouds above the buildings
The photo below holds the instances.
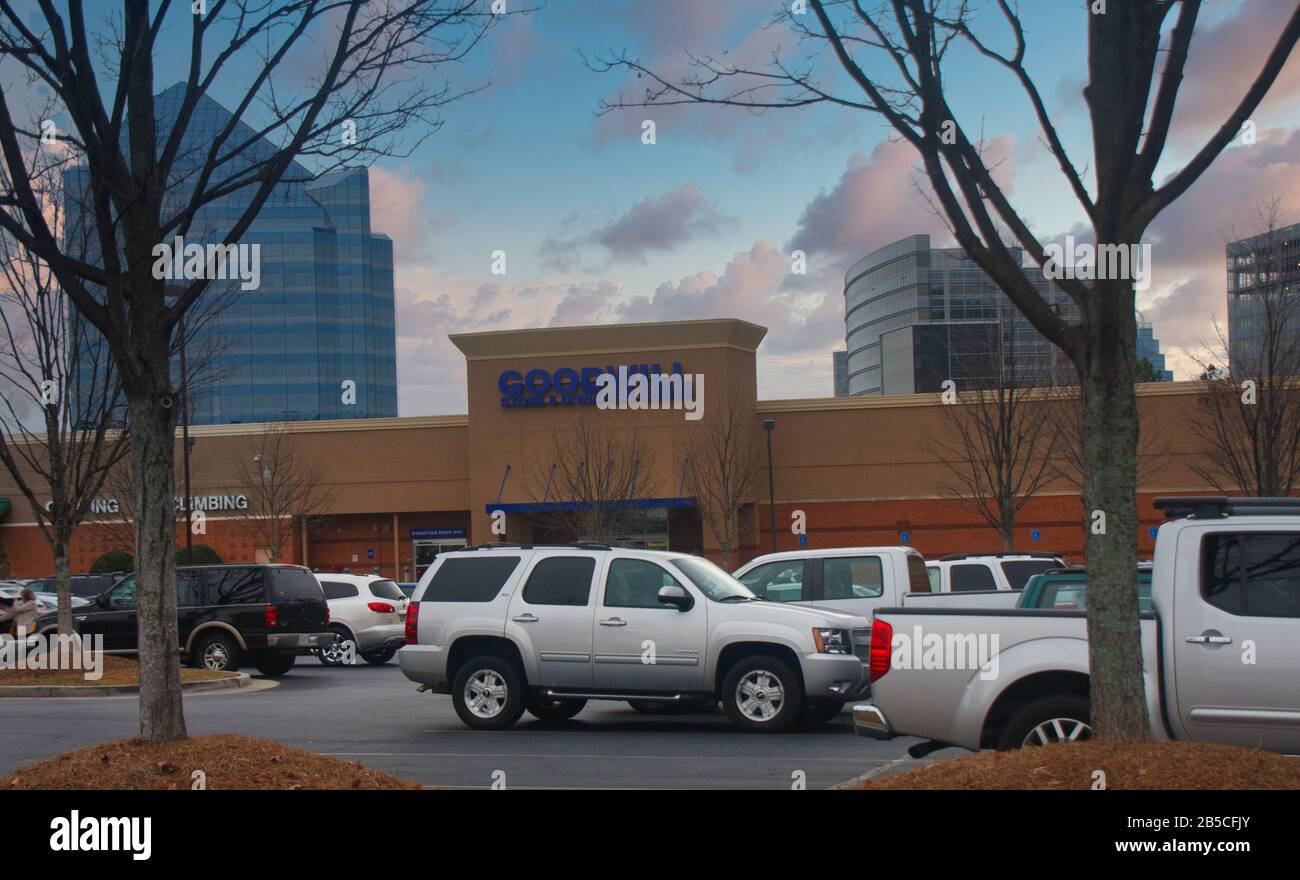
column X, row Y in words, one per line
column 599, row 227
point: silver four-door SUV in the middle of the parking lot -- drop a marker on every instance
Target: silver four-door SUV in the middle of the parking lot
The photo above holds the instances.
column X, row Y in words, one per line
column 513, row 628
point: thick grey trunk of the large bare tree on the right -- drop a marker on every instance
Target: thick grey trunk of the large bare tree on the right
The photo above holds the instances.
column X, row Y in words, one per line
column 1111, row 496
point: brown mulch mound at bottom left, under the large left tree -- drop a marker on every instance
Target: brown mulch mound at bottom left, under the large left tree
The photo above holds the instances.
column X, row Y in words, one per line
column 228, row 760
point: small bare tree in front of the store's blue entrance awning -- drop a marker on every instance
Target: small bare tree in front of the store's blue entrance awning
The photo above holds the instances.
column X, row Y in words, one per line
column 591, row 479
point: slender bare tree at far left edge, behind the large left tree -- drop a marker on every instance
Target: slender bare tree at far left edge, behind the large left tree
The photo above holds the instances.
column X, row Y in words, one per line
column 62, row 426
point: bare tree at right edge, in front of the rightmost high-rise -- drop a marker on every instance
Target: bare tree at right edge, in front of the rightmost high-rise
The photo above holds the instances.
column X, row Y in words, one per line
column 1247, row 421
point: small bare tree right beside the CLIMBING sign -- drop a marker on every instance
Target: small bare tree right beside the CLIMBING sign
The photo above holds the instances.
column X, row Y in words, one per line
column 287, row 491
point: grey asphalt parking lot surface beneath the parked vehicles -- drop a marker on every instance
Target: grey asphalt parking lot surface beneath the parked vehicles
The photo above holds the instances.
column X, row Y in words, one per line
column 375, row 717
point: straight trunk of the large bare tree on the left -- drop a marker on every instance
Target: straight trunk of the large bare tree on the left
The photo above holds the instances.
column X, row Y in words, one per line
column 153, row 419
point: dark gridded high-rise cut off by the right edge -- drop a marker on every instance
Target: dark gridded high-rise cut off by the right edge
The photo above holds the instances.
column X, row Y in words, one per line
column 1263, row 271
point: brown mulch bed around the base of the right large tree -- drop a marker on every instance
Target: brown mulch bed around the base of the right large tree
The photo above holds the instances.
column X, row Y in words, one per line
column 1128, row 766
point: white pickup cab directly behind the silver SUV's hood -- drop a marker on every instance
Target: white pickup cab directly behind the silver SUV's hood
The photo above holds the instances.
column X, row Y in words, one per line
column 853, row 580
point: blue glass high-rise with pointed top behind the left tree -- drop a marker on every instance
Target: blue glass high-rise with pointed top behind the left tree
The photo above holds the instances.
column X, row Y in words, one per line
column 315, row 339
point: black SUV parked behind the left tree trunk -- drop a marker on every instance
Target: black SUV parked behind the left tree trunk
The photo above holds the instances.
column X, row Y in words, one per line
column 226, row 615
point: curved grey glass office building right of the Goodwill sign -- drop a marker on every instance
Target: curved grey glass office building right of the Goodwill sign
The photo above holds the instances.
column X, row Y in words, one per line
column 917, row 317
